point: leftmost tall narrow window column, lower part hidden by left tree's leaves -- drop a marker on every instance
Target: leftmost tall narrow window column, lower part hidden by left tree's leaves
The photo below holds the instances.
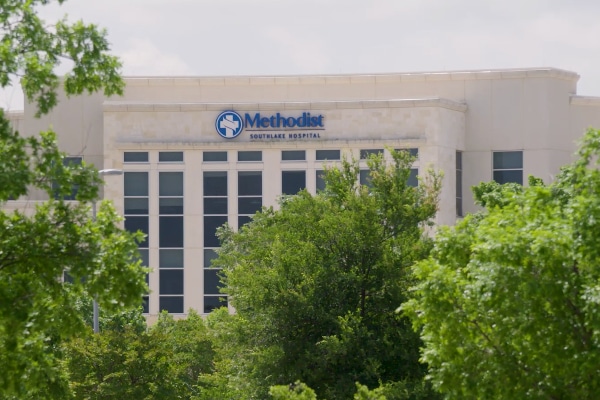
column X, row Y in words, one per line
column 135, row 198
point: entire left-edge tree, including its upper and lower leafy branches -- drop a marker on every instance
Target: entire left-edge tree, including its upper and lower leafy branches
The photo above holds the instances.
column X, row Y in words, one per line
column 37, row 311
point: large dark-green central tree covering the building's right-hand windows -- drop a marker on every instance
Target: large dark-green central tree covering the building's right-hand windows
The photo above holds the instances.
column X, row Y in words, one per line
column 316, row 284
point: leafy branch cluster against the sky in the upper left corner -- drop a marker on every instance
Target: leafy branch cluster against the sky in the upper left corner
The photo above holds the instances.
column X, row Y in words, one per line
column 30, row 50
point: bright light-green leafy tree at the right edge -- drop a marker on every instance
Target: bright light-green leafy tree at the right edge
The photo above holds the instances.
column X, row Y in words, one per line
column 508, row 304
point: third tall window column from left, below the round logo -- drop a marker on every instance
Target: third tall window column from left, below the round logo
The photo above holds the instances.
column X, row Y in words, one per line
column 215, row 215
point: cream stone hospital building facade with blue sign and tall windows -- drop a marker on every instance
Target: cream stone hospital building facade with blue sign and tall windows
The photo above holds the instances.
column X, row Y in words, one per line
column 201, row 151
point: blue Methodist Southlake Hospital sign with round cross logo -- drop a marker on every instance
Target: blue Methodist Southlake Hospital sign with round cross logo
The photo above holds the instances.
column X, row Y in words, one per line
column 230, row 124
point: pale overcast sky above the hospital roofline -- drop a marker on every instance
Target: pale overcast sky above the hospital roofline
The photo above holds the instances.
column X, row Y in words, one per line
column 284, row 37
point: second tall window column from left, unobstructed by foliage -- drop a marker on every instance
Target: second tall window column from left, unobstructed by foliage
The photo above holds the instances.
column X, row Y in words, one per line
column 170, row 220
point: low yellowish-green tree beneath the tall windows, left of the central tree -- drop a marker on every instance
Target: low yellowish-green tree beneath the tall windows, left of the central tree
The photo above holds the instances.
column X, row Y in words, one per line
column 128, row 360
